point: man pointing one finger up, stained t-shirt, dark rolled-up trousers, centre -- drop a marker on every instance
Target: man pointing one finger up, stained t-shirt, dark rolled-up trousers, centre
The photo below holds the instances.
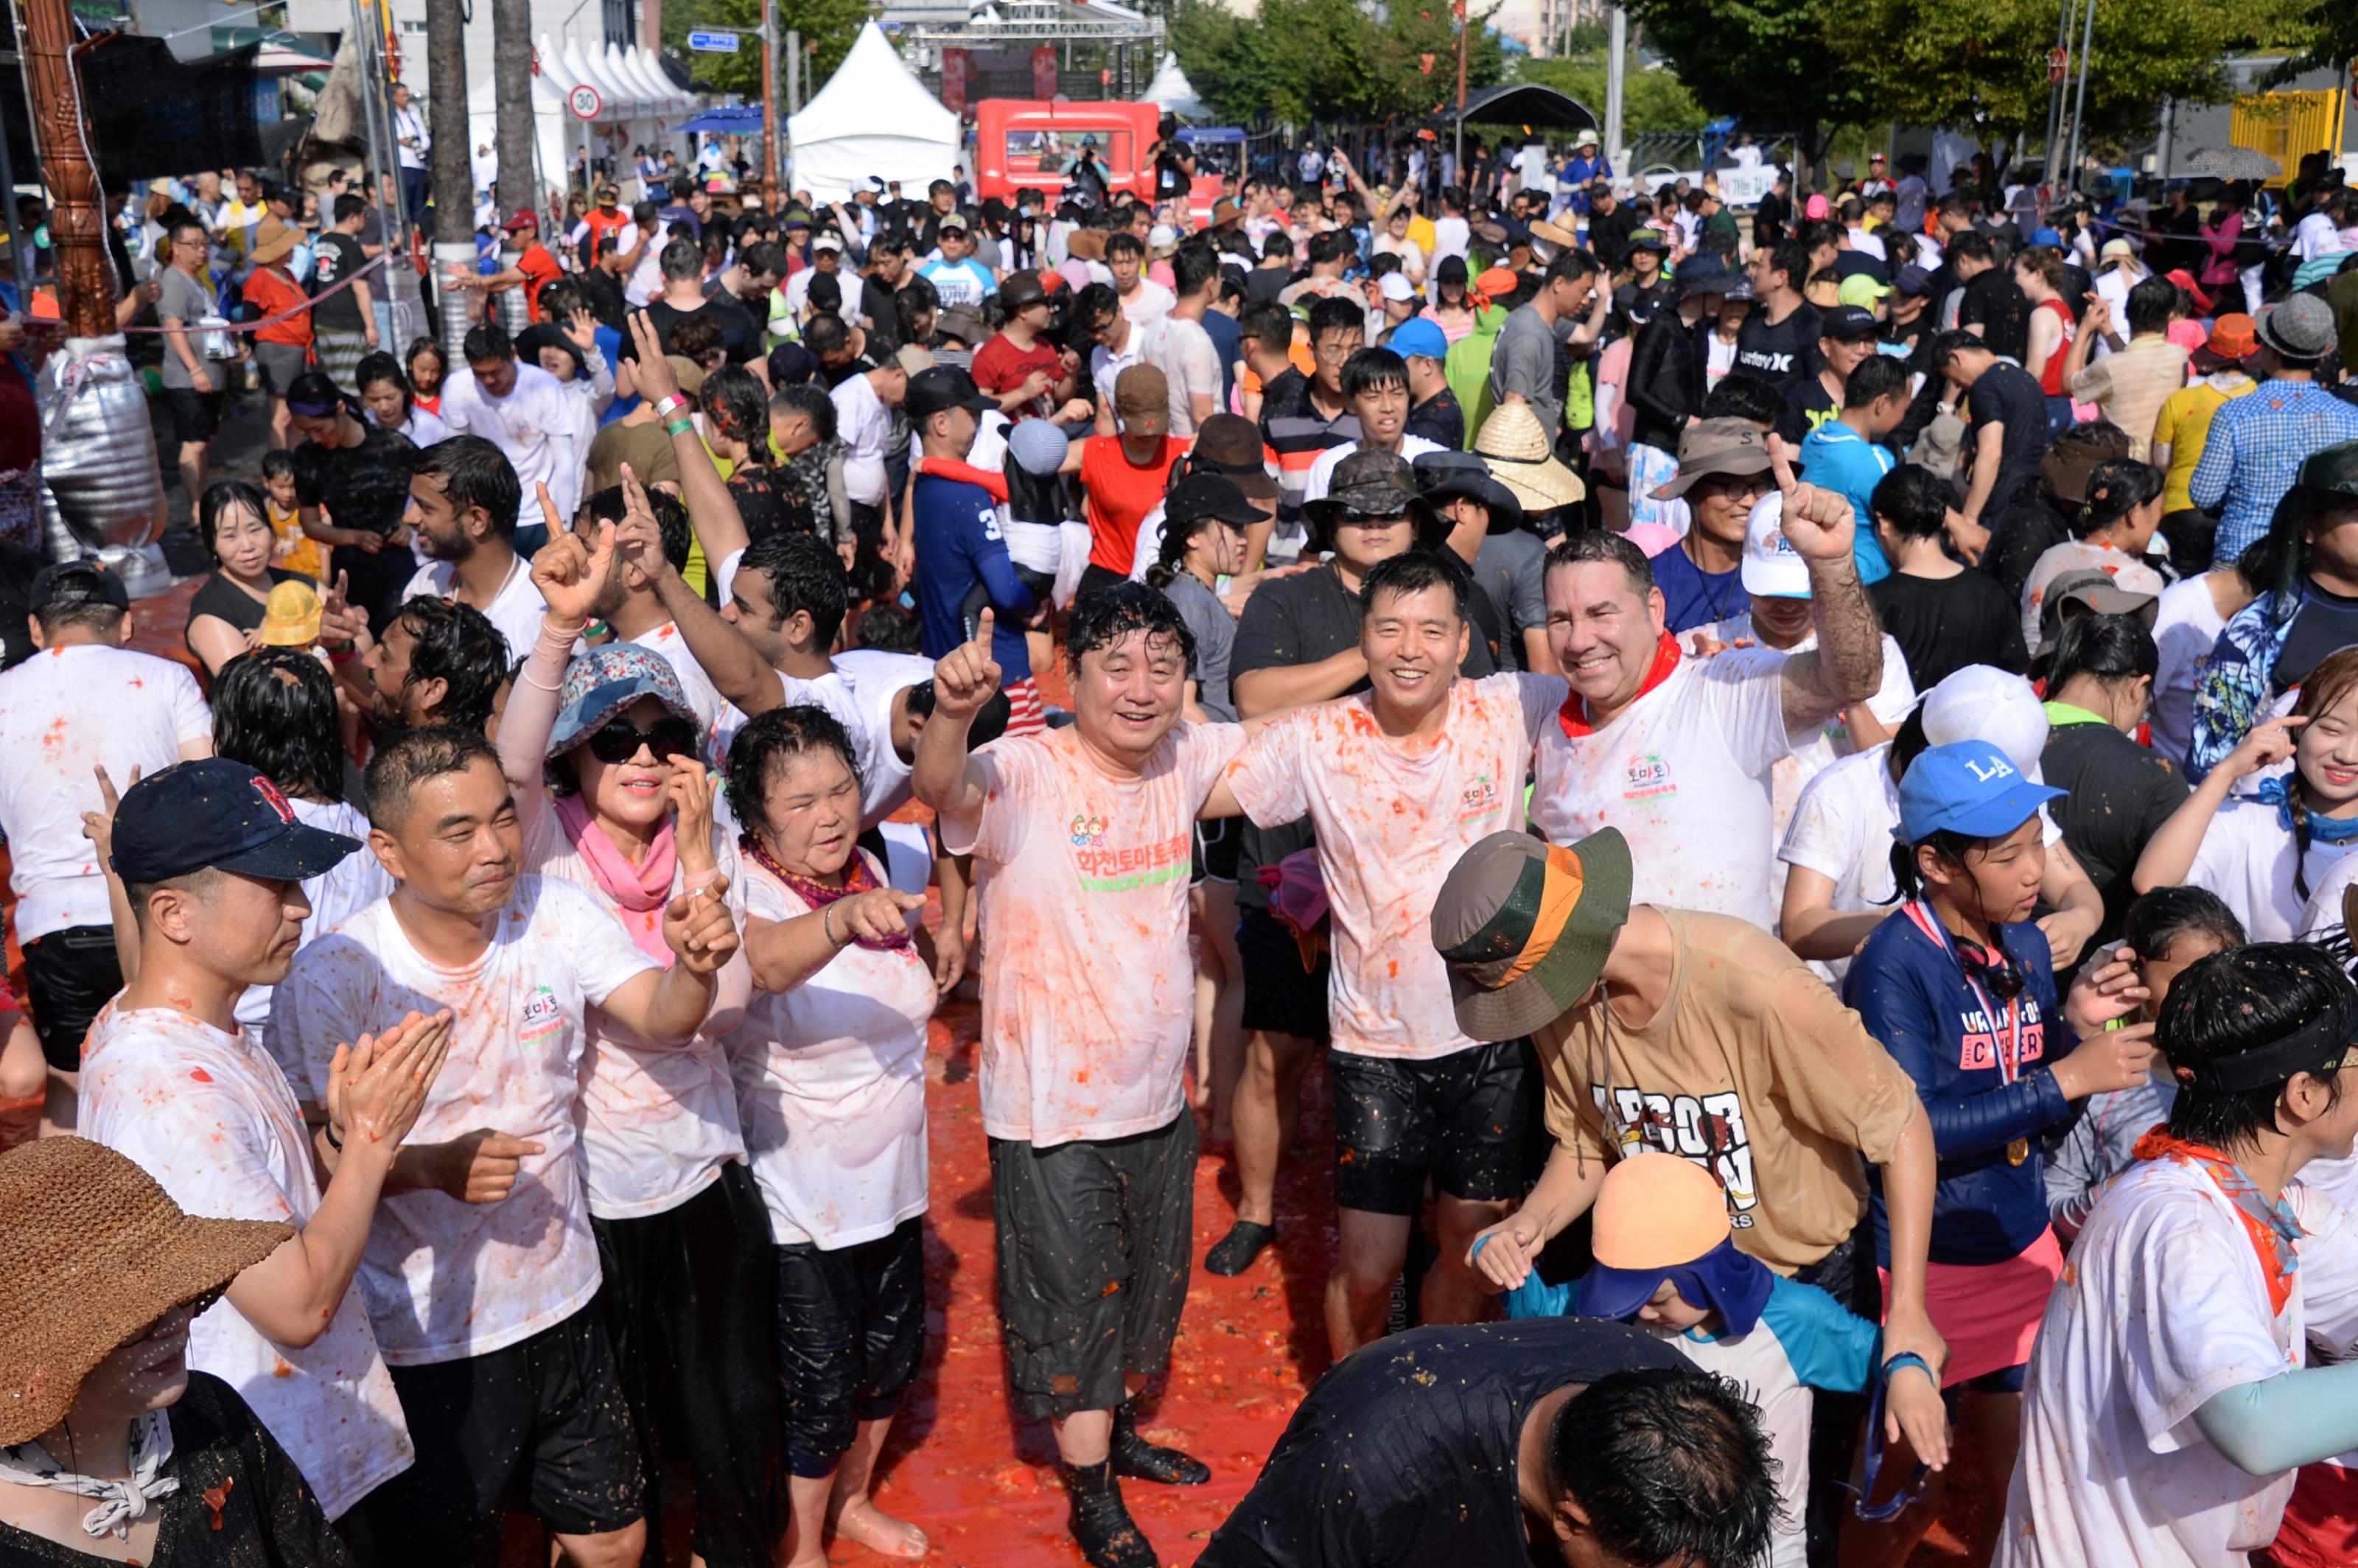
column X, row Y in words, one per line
column 1081, row 845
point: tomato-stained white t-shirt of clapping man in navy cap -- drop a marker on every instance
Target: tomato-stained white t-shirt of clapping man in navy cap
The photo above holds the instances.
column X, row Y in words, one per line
column 213, row 1119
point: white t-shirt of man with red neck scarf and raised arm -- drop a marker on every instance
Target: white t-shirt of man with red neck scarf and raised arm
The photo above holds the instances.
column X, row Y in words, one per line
column 1685, row 775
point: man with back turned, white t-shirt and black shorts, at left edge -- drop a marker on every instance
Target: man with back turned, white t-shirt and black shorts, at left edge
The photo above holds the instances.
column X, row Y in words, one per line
column 84, row 704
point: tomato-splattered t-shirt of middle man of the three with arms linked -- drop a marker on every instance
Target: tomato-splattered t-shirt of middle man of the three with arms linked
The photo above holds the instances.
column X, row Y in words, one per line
column 1392, row 819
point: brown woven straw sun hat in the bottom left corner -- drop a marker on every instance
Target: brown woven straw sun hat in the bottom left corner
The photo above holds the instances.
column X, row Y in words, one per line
column 91, row 1256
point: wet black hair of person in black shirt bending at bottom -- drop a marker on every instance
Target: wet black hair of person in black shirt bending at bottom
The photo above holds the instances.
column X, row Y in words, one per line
column 1671, row 1465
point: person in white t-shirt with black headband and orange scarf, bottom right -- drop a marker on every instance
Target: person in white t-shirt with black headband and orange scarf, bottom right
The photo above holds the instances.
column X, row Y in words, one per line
column 2171, row 1397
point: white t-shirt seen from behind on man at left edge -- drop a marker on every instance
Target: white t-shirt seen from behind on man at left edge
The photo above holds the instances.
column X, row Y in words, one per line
column 65, row 713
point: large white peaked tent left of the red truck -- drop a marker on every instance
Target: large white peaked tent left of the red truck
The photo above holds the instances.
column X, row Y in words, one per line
column 871, row 119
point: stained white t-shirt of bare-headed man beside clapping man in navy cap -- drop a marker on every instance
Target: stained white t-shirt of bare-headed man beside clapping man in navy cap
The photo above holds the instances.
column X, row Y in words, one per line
column 452, row 1279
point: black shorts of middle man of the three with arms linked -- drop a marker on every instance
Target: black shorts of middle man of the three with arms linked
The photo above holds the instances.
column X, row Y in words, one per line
column 1461, row 1119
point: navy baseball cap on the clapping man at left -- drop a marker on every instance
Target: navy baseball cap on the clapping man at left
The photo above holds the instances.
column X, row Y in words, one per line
column 218, row 815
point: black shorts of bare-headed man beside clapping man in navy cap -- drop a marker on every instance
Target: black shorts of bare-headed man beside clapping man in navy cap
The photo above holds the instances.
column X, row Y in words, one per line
column 539, row 1425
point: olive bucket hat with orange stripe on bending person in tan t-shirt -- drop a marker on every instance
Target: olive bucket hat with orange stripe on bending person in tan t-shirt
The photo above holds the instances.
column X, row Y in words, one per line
column 1527, row 928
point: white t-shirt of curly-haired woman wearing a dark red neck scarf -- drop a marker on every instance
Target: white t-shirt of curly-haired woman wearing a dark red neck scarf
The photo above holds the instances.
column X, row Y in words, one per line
column 831, row 1088
